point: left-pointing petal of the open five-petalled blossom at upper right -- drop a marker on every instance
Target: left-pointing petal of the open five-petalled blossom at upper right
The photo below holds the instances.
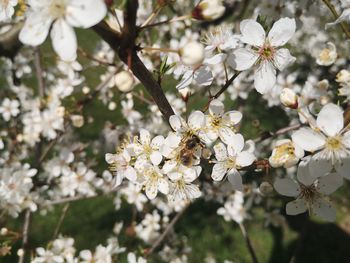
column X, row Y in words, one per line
column 242, row 59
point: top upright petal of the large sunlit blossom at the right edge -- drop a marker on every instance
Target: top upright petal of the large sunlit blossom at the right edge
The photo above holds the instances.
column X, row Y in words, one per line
column 330, row 119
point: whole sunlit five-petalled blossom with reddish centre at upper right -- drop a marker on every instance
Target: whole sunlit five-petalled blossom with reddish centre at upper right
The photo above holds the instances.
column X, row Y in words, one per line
column 265, row 52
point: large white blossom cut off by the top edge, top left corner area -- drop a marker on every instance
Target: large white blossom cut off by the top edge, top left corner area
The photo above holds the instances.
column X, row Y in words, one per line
column 63, row 16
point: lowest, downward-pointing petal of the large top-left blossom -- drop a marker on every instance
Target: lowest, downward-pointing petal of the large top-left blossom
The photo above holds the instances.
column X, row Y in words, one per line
column 64, row 41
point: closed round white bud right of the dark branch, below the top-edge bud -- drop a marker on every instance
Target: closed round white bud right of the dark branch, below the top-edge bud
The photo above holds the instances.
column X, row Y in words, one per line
column 192, row 54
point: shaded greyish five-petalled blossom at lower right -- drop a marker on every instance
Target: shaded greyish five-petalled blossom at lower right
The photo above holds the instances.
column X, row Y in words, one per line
column 310, row 192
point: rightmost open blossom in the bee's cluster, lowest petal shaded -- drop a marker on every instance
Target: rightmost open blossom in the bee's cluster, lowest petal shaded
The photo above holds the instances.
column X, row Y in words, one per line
column 230, row 159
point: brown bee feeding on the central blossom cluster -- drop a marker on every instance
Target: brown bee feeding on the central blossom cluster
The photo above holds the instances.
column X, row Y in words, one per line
column 190, row 150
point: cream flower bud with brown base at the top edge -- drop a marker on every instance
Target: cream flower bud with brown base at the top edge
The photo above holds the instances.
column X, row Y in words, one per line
column 208, row 10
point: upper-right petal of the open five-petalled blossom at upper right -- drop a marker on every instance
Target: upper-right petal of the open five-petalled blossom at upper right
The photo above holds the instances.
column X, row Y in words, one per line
column 281, row 31
